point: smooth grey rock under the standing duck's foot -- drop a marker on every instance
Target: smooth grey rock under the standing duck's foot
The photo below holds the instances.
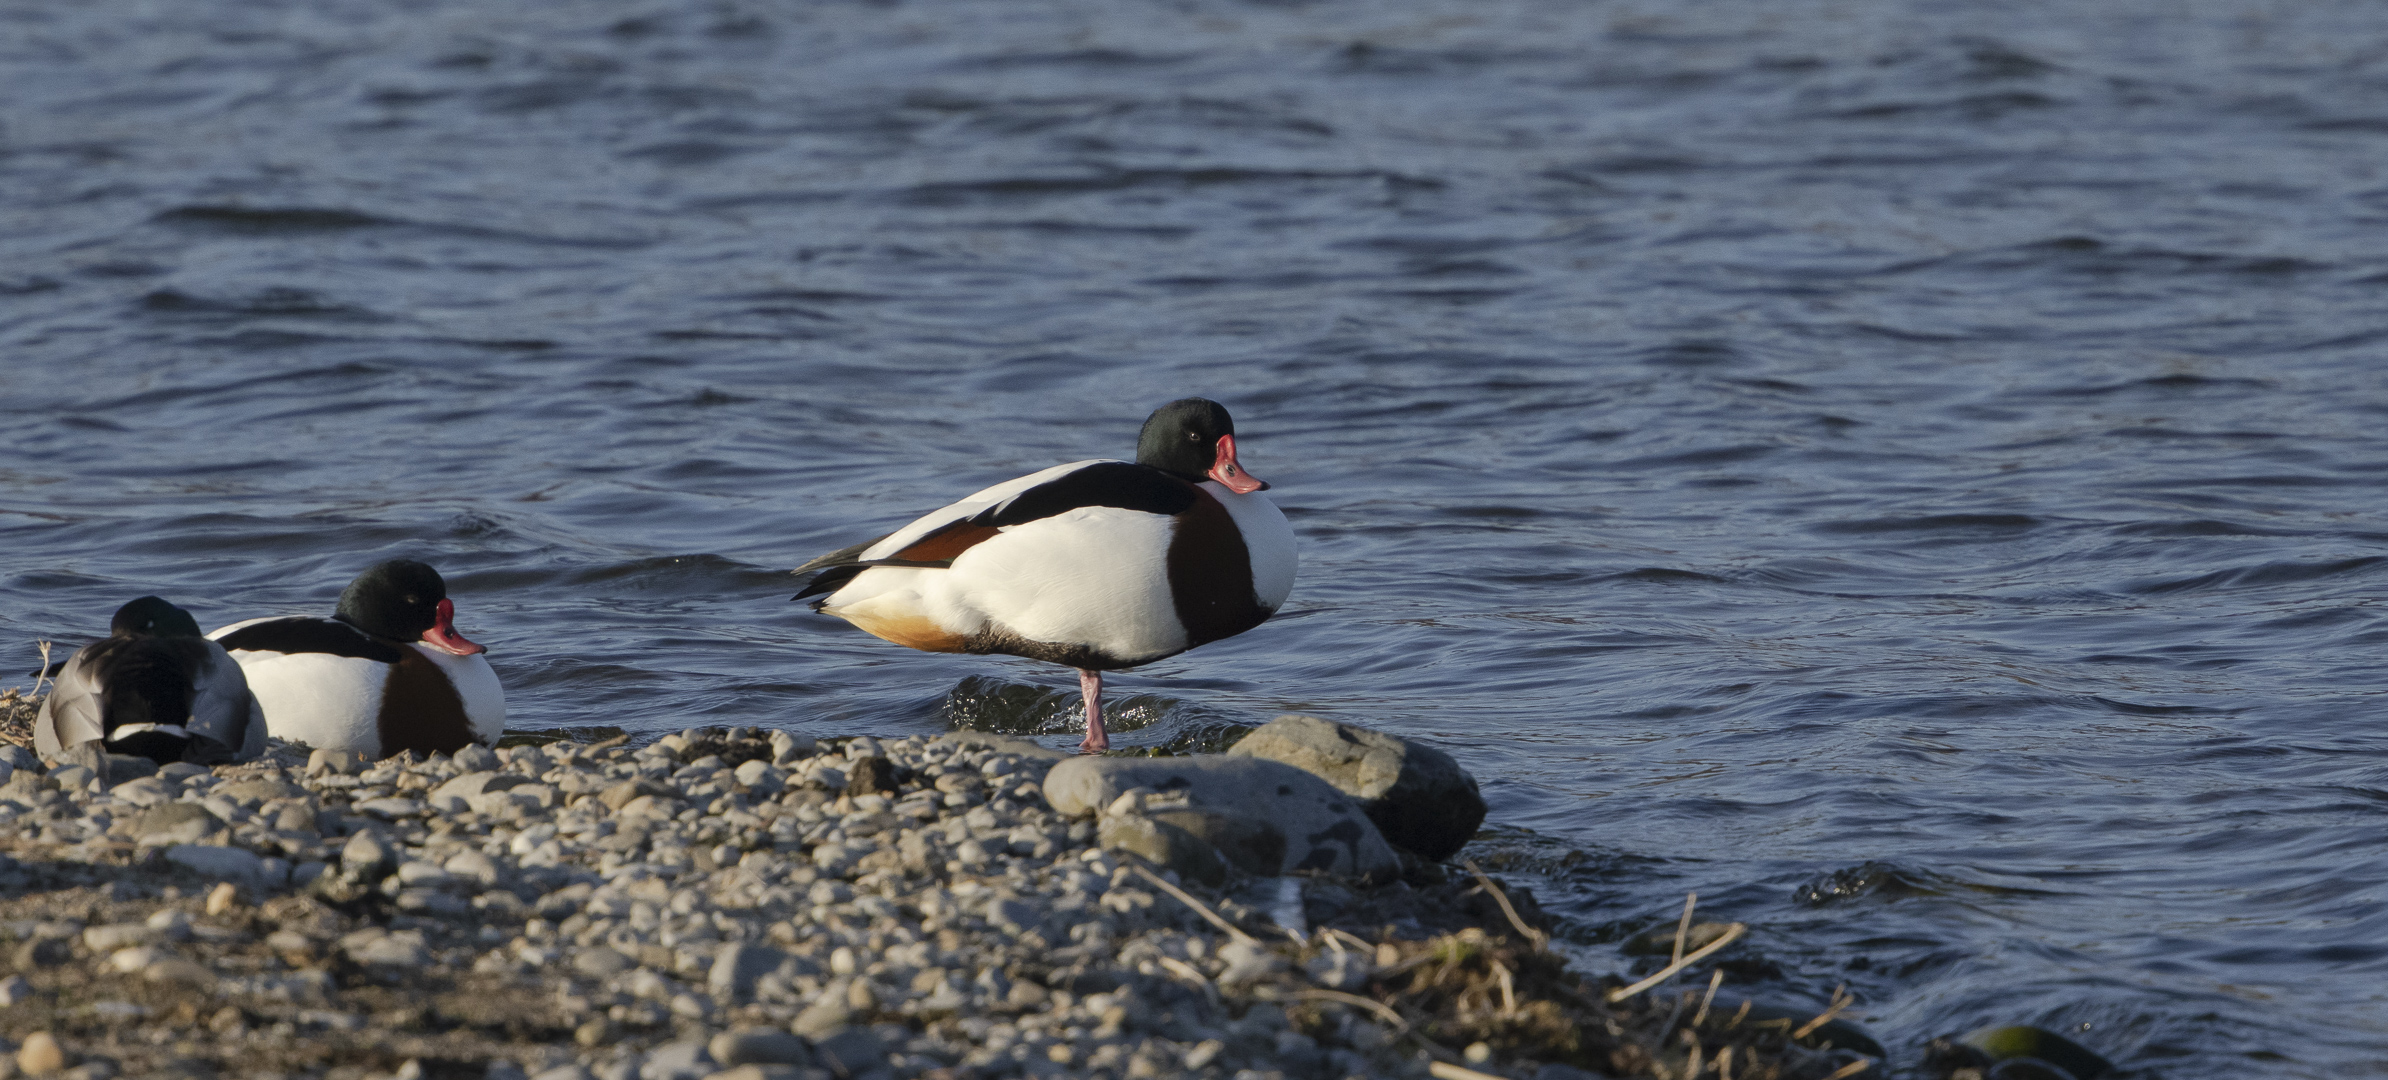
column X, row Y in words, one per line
column 1324, row 830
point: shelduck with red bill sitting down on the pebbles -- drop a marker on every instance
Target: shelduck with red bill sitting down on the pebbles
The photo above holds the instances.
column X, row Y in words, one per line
column 386, row 673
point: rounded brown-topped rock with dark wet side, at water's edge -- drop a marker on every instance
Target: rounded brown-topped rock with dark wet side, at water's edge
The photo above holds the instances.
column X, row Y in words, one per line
column 1415, row 794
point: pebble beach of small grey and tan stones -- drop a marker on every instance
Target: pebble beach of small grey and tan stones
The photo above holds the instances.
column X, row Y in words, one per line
column 749, row 904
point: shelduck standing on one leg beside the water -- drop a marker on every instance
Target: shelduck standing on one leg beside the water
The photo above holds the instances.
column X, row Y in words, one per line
column 1097, row 565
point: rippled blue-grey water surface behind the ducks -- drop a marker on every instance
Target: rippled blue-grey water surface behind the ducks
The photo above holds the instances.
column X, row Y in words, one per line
column 1909, row 472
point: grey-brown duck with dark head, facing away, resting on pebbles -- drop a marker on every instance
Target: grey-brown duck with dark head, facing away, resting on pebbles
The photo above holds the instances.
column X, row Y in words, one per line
column 154, row 689
